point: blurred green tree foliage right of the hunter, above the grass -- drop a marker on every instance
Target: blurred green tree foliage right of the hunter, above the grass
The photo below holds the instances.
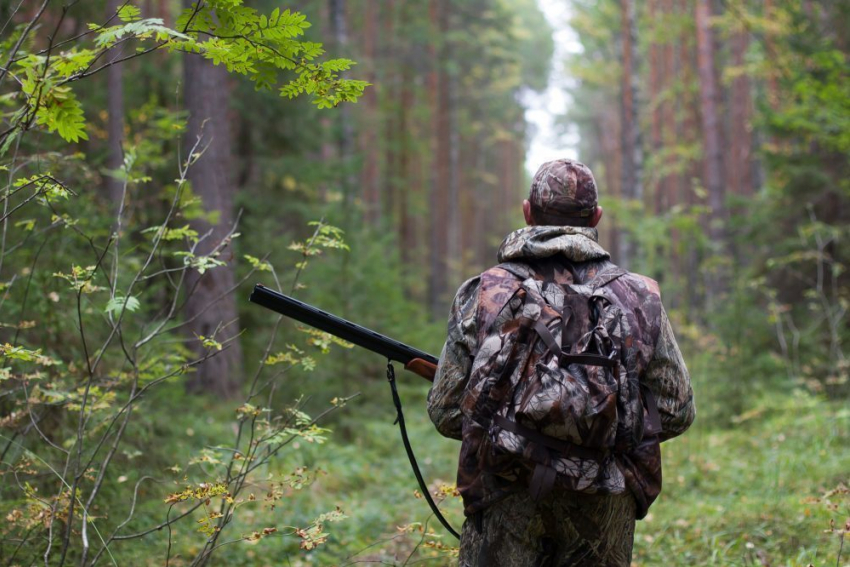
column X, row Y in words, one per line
column 769, row 299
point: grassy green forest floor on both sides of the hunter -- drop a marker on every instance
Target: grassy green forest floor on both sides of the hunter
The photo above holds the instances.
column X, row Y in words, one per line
column 765, row 492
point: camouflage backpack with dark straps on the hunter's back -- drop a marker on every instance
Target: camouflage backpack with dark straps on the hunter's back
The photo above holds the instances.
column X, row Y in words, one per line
column 552, row 390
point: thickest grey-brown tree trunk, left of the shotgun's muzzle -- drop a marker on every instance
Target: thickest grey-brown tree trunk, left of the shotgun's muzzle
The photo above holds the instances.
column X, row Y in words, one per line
column 211, row 307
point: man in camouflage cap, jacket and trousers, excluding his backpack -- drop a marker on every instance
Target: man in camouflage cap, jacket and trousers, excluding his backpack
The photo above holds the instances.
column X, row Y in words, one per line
column 505, row 525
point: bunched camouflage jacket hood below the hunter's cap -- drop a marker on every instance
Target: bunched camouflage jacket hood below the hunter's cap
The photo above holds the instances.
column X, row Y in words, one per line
column 577, row 244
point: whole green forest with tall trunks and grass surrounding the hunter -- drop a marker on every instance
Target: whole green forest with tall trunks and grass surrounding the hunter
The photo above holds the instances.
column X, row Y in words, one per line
column 160, row 157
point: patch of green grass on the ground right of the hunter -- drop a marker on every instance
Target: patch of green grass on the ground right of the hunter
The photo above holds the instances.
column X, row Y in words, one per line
column 771, row 490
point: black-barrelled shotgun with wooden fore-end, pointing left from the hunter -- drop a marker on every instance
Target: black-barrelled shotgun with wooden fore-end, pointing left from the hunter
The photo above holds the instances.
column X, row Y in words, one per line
column 414, row 360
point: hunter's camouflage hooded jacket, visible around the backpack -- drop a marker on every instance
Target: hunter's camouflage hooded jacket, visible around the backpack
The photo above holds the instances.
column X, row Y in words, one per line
column 568, row 255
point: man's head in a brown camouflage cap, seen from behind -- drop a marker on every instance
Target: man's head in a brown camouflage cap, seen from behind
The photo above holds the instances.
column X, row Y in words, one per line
column 563, row 192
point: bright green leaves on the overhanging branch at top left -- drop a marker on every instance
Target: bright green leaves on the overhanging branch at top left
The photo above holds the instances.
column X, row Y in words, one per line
column 265, row 49
